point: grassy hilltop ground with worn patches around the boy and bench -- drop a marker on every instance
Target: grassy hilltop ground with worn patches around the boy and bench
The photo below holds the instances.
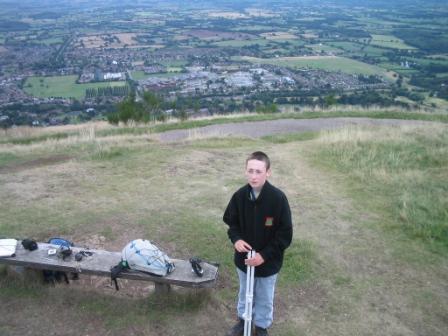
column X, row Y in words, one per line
column 370, row 246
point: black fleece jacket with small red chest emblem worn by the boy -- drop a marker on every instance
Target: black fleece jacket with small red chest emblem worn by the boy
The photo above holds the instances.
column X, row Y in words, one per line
column 264, row 223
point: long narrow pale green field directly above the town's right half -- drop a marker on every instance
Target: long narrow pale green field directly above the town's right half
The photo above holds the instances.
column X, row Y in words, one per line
column 327, row 63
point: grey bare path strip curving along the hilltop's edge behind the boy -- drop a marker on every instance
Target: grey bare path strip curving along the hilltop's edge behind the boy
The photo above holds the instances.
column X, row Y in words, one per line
column 256, row 129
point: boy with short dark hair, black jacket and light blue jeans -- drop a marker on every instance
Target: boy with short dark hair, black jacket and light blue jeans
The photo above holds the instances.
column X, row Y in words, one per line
column 259, row 218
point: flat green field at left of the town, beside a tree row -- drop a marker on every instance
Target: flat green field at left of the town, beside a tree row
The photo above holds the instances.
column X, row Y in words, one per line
column 62, row 86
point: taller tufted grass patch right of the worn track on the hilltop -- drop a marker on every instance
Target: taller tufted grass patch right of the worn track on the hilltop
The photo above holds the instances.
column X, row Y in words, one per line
column 395, row 162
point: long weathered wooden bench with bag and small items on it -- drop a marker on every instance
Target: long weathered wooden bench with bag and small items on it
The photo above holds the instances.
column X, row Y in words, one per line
column 101, row 262
